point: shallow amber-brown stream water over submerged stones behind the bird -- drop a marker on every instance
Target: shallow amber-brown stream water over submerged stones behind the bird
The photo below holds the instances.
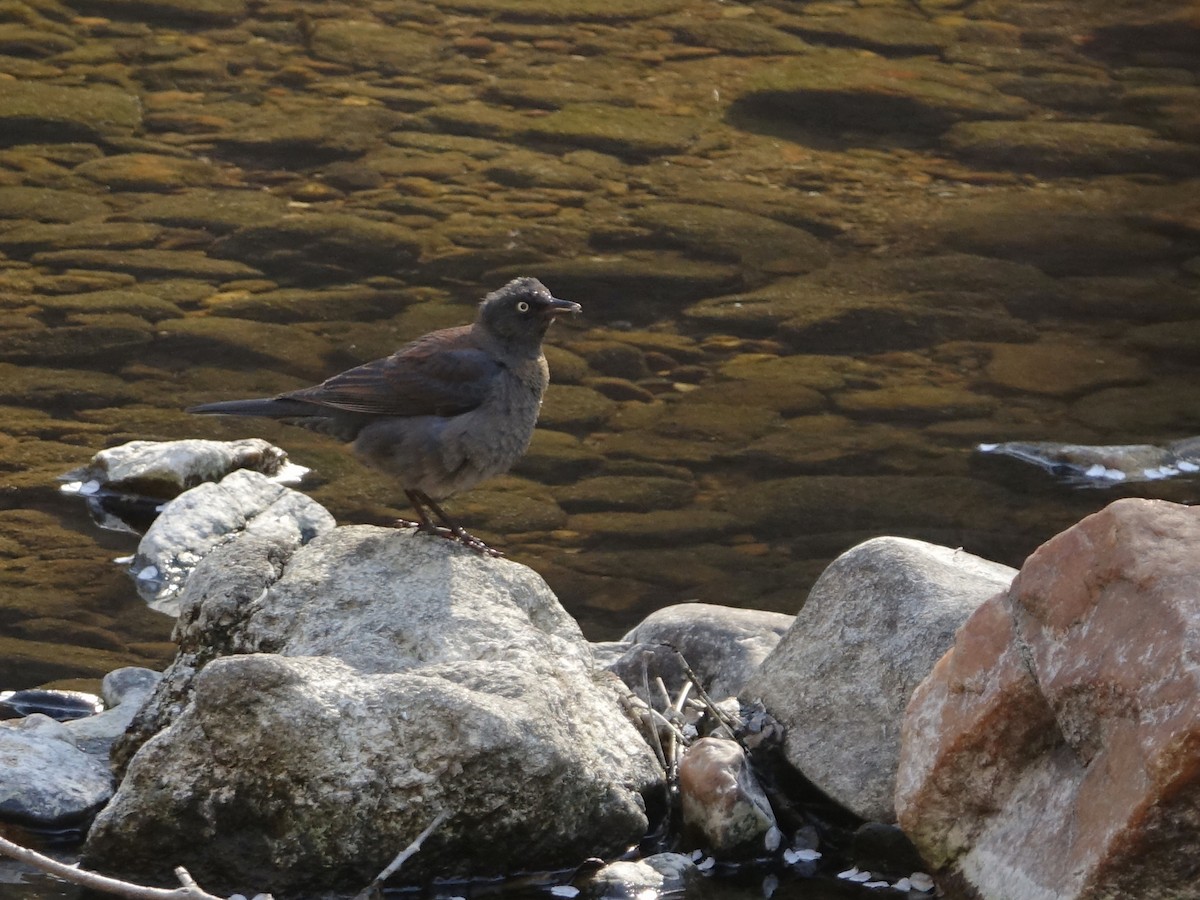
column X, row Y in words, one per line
column 824, row 251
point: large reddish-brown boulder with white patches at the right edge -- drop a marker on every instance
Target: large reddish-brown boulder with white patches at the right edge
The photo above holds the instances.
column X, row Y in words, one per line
column 1055, row 751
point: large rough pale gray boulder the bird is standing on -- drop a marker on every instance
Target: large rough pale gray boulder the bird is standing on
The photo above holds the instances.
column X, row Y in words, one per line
column 329, row 703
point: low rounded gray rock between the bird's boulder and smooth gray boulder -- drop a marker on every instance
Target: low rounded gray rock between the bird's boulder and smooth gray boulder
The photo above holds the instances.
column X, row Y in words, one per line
column 723, row 645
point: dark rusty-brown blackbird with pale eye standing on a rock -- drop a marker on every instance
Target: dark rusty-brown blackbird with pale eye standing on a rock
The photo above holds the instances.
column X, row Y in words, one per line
column 442, row 413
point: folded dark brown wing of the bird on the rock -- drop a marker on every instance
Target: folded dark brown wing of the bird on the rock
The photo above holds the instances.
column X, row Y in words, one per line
column 443, row 374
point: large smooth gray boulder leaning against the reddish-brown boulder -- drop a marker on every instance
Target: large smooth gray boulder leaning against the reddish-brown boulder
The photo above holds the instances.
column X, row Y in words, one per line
column 875, row 623
